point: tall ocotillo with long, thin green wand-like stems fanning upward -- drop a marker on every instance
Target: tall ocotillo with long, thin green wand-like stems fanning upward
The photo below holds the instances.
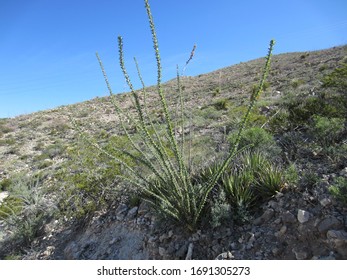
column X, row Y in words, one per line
column 167, row 183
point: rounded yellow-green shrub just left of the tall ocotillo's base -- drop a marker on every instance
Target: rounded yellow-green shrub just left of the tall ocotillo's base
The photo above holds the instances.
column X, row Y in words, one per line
column 87, row 180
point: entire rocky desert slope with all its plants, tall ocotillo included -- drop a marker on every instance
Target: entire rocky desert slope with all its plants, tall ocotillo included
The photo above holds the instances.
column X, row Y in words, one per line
column 216, row 161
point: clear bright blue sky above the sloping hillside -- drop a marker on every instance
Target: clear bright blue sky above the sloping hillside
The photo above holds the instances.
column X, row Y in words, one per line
column 47, row 47
